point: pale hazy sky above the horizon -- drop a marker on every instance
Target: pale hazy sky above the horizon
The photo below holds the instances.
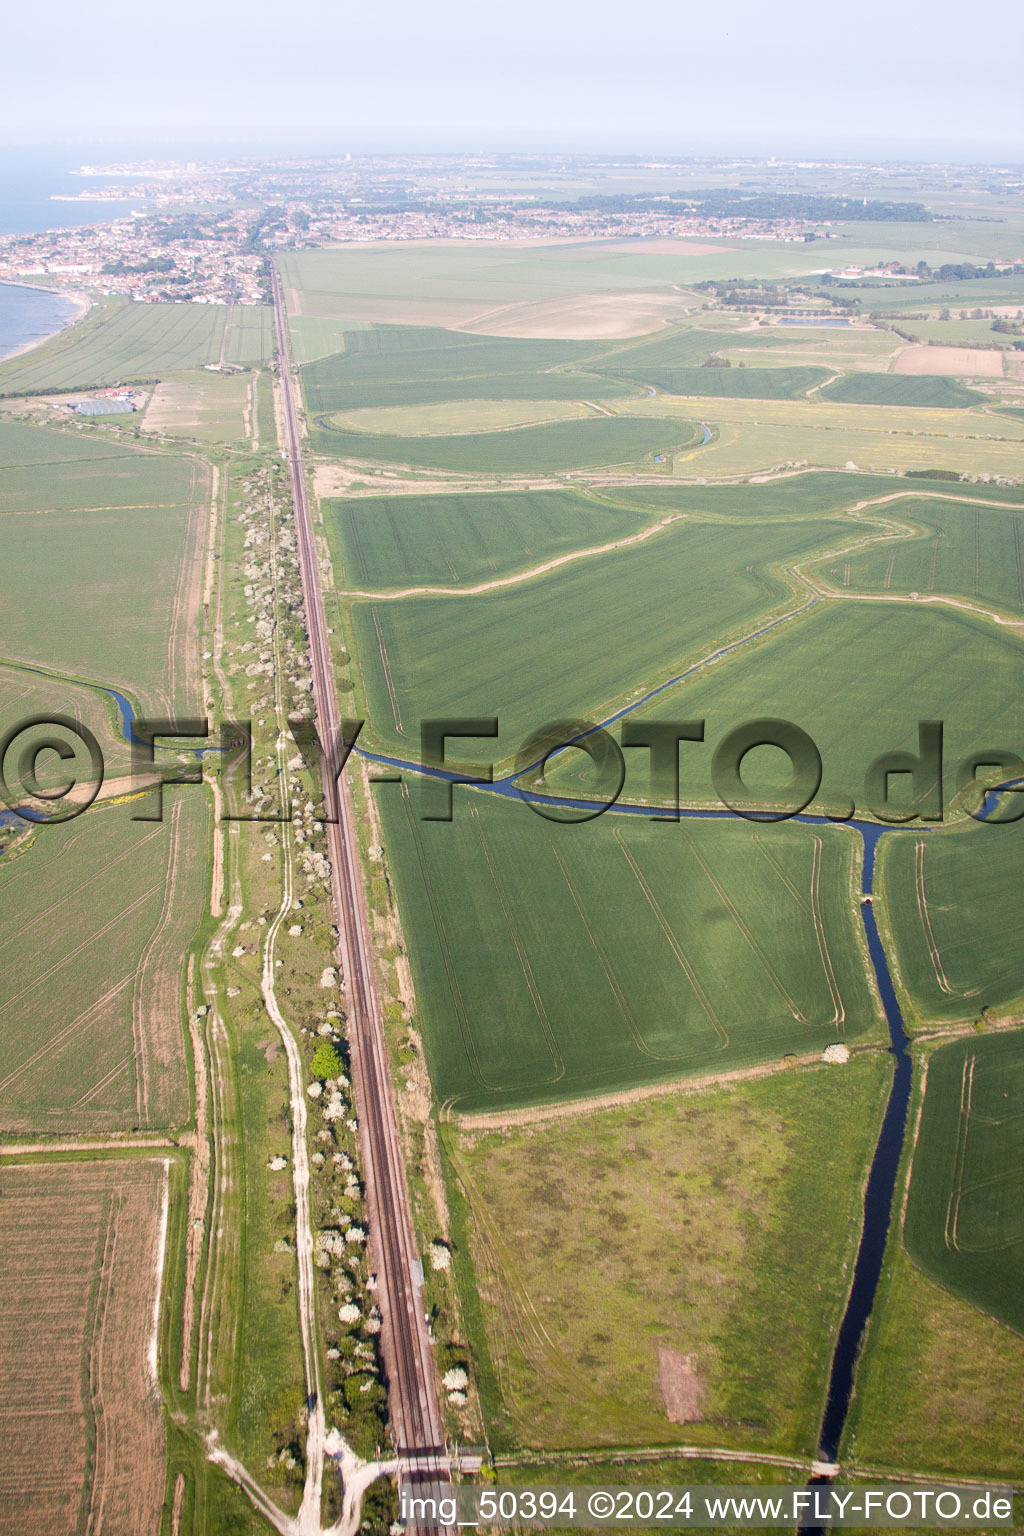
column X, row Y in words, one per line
column 575, row 74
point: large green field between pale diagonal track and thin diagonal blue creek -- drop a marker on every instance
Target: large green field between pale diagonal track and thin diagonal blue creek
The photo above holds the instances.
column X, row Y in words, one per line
column 576, row 641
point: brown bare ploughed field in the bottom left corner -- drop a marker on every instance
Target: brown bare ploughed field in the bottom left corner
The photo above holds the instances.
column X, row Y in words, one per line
column 81, row 1422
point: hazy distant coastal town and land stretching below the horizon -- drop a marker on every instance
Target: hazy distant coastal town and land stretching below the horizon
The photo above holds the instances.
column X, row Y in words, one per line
column 205, row 233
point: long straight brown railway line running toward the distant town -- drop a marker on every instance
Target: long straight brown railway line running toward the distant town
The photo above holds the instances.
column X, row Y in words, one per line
column 415, row 1411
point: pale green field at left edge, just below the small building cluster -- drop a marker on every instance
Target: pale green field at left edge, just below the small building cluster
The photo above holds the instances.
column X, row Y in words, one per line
column 45, row 471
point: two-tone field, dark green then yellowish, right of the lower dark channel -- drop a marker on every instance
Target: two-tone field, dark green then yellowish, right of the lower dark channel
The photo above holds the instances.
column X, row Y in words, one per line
column 939, row 1385
